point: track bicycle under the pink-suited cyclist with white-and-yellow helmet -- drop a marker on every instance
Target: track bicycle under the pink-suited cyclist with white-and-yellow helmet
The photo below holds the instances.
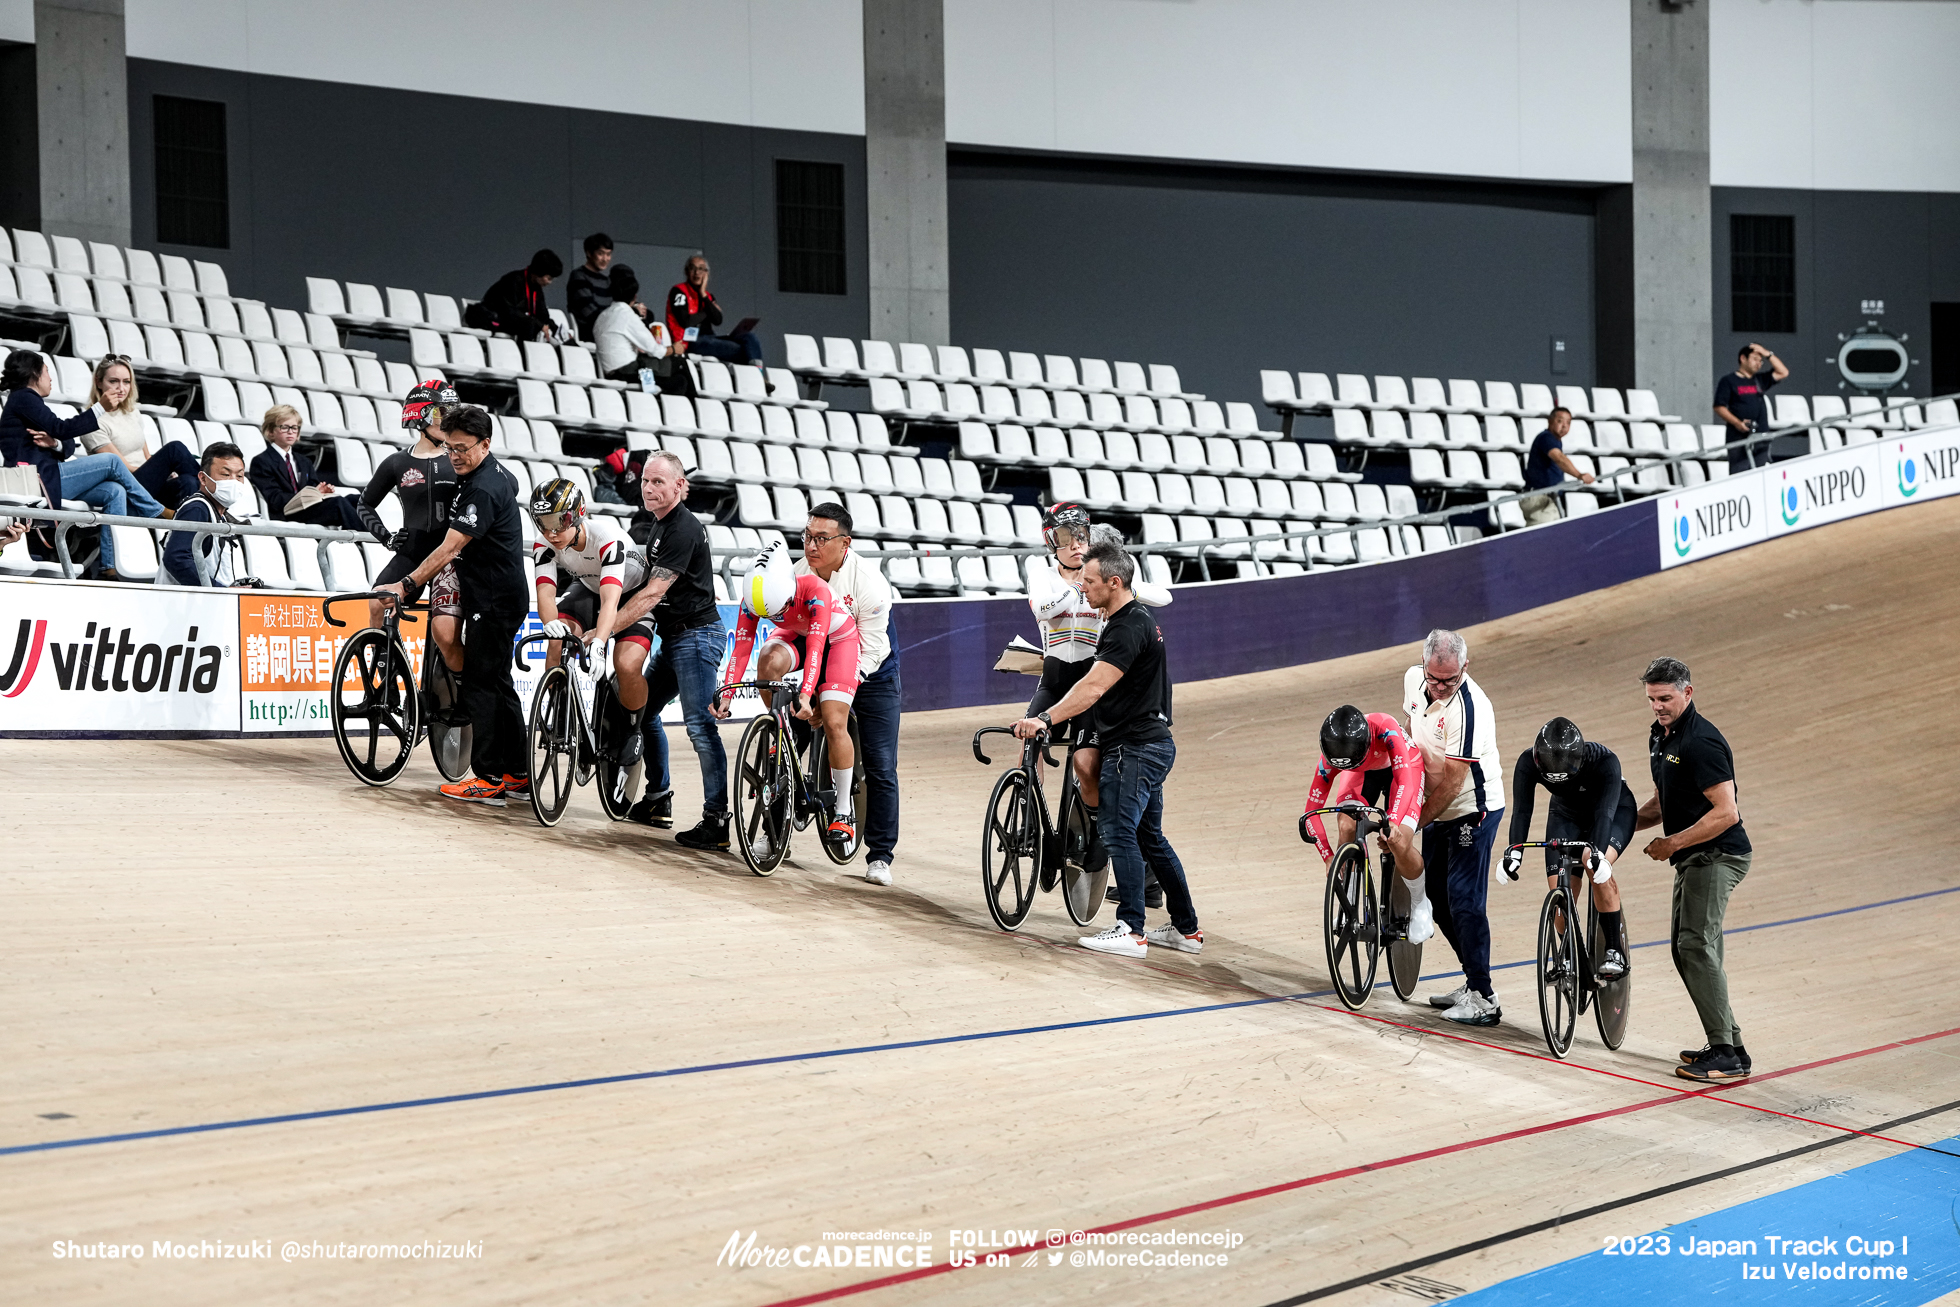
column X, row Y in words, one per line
column 777, row 793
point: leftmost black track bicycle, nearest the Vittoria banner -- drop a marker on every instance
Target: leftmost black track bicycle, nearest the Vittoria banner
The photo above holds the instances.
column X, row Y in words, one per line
column 377, row 710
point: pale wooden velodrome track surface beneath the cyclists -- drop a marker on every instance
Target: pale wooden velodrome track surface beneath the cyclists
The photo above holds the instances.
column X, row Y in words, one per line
column 213, row 934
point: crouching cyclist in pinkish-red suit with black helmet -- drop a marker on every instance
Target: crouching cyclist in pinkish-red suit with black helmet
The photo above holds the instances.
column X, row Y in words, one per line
column 1371, row 757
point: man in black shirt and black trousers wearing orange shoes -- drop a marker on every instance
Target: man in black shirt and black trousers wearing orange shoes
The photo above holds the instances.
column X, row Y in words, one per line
column 487, row 544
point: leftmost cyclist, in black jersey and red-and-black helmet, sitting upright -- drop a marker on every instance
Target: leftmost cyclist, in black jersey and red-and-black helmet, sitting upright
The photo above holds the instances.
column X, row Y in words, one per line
column 424, row 483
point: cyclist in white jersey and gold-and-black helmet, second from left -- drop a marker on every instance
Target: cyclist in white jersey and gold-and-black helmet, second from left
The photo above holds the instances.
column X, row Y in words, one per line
column 587, row 567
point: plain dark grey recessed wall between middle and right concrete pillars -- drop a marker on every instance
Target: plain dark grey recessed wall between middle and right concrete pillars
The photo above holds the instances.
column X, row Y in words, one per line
column 1230, row 271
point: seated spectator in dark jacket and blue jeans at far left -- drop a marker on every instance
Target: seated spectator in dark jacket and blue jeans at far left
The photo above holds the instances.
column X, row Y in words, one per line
column 30, row 434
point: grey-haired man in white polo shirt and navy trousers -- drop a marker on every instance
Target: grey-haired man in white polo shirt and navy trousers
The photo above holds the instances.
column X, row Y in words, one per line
column 1463, row 804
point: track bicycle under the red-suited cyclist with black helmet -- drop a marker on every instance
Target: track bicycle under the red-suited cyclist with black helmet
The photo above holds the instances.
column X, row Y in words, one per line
column 1361, row 918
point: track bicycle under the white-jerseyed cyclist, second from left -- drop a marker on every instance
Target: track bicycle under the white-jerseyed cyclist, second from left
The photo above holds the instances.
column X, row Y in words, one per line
column 565, row 738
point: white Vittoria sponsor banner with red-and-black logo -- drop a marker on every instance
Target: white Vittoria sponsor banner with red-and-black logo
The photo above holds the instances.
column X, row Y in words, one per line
column 107, row 657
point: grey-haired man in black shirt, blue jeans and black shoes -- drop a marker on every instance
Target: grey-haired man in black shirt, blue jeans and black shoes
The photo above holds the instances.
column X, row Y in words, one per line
column 681, row 595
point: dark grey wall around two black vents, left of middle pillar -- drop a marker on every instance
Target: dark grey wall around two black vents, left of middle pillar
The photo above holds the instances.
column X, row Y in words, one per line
column 446, row 193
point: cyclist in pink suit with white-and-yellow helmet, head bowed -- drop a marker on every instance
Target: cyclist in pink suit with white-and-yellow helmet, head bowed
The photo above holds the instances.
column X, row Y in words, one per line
column 803, row 606
